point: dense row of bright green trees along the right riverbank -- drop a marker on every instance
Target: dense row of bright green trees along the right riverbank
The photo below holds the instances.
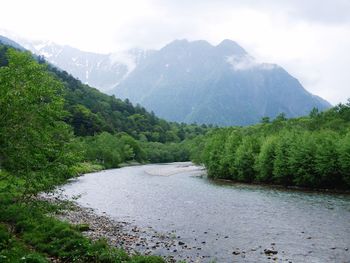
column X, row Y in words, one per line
column 311, row 151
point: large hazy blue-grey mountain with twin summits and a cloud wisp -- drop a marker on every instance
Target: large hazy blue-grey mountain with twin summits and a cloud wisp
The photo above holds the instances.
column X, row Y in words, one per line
column 198, row 82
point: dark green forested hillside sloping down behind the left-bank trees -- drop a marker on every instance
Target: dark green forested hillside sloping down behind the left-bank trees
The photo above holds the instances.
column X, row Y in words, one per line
column 91, row 112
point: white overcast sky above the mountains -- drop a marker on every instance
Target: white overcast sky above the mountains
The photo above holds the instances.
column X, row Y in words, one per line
column 310, row 38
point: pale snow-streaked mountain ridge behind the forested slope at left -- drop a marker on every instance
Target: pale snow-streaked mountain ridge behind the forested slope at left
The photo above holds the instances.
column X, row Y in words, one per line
column 103, row 71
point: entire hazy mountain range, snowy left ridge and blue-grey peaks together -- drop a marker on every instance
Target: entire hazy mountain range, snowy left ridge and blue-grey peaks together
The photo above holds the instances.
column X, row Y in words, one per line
column 189, row 81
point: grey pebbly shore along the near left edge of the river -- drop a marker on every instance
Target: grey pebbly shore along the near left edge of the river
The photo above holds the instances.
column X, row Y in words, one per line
column 131, row 238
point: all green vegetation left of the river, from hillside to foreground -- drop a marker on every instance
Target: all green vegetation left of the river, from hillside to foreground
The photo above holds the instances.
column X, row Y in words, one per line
column 51, row 130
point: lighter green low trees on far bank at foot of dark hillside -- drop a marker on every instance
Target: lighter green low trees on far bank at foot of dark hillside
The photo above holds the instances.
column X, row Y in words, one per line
column 111, row 150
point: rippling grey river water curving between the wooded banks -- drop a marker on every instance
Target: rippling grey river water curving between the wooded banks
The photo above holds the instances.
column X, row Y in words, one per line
column 221, row 221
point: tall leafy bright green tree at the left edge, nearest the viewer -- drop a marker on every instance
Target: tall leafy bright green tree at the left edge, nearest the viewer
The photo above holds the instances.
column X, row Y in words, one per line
column 33, row 136
